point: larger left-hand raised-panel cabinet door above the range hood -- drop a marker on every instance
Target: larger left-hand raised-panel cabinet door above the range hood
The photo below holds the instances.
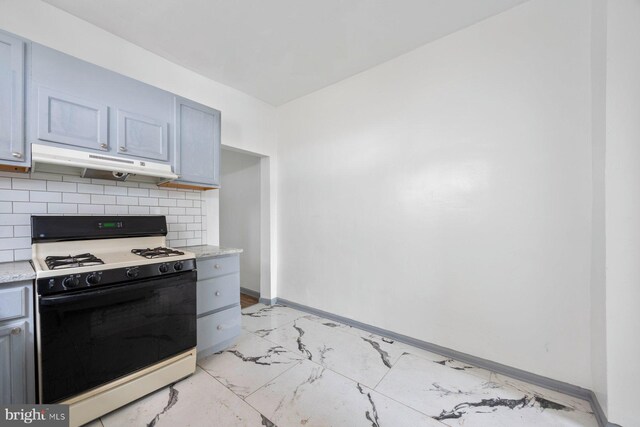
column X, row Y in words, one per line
column 70, row 120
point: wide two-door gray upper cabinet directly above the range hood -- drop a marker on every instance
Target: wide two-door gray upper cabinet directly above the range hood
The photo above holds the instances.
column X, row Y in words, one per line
column 84, row 105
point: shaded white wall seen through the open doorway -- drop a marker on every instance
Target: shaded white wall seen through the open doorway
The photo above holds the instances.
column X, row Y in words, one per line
column 240, row 212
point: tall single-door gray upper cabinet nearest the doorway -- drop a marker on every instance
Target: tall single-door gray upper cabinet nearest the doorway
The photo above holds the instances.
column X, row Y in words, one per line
column 197, row 136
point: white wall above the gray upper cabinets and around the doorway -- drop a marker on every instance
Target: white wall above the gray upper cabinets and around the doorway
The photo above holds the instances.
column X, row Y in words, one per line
column 247, row 123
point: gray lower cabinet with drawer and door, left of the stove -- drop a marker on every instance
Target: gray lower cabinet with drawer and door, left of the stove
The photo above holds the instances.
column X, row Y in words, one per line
column 17, row 369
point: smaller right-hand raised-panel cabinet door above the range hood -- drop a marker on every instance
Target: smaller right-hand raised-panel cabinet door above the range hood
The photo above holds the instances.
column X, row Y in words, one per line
column 142, row 136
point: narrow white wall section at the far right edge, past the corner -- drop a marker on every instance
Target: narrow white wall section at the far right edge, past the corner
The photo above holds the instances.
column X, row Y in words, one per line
column 623, row 210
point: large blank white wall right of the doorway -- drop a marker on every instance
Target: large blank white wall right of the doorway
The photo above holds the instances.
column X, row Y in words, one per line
column 446, row 194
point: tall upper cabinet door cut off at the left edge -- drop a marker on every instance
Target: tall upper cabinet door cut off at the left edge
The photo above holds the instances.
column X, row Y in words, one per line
column 12, row 145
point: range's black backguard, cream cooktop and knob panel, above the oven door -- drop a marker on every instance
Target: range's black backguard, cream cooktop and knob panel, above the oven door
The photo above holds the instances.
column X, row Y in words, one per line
column 99, row 254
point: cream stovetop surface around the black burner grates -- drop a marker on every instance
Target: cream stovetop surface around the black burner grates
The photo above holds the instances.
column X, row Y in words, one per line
column 116, row 253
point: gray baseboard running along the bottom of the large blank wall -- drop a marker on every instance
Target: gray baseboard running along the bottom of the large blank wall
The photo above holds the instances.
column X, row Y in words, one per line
column 539, row 380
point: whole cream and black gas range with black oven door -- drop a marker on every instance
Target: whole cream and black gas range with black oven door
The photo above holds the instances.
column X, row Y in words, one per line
column 115, row 311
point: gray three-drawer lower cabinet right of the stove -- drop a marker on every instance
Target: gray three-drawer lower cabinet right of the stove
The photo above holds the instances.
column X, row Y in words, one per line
column 218, row 297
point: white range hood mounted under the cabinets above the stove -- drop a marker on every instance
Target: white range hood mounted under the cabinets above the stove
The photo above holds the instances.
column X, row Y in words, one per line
column 45, row 158
